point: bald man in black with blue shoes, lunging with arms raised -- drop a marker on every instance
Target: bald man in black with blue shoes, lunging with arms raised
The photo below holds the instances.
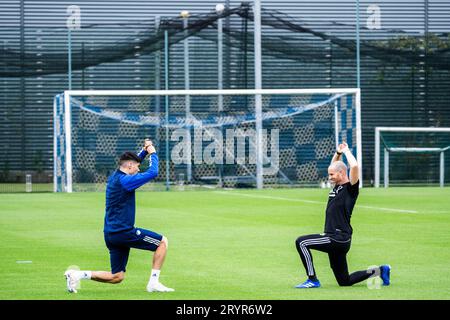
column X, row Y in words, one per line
column 337, row 235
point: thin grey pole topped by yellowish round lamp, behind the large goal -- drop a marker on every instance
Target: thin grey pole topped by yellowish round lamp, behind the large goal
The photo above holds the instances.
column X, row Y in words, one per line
column 185, row 16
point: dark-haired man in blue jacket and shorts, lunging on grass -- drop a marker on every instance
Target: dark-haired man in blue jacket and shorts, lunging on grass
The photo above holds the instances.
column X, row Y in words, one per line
column 119, row 230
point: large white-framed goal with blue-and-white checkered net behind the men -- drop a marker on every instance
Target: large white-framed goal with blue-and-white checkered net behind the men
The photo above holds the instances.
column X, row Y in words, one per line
column 212, row 138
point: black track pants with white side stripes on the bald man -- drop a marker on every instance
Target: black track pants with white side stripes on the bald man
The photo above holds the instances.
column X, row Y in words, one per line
column 337, row 253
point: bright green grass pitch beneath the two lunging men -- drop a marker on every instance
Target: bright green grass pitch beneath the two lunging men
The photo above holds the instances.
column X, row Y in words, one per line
column 227, row 244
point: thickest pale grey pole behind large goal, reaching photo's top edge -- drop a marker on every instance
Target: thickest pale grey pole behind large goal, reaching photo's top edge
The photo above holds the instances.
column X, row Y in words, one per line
column 258, row 97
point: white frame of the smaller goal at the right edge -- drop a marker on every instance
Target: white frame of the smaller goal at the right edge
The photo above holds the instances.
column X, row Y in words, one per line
column 378, row 131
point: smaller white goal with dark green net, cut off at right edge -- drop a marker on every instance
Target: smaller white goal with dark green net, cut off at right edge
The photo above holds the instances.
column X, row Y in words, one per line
column 412, row 156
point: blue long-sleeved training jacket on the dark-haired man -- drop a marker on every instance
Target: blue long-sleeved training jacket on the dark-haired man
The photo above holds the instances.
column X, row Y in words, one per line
column 120, row 196
